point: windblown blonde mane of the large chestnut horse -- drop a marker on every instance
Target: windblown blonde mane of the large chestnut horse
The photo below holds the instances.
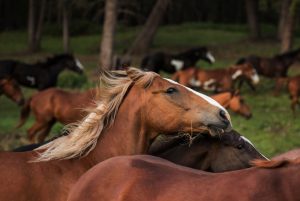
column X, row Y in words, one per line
column 83, row 136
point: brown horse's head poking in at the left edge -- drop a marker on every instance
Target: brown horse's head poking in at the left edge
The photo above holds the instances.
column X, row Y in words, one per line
column 12, row 90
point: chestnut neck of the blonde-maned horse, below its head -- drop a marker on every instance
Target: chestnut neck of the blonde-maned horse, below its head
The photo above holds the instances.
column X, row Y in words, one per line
column 126, row 136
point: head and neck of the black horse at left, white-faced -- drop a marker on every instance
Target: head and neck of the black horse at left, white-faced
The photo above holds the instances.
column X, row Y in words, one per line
column 67, row 61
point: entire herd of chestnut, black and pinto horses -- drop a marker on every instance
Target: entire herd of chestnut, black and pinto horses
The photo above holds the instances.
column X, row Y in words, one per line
column 174, row 143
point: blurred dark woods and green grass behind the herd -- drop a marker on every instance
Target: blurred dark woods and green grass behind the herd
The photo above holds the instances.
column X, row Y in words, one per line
column 99, row 33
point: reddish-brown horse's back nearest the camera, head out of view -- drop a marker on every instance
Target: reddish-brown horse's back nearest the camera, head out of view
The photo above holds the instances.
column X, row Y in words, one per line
column 144, row 177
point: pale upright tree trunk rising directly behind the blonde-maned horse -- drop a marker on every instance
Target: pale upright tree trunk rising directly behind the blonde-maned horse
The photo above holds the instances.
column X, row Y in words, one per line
column 106, row 47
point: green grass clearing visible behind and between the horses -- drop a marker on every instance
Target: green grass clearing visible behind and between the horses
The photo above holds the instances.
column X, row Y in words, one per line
column 273, row 129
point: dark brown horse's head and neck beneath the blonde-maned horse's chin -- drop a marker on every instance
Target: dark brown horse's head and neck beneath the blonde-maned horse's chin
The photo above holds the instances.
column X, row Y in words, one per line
column 228, row 152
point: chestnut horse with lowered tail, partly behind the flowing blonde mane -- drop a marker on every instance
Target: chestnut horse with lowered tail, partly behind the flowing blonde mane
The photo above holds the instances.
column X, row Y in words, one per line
column 54, row 105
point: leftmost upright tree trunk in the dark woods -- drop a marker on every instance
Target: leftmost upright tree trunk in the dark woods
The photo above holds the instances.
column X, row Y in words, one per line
column 31, row 25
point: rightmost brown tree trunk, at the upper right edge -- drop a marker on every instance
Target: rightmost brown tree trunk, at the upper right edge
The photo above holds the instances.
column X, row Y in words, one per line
column 287, row 31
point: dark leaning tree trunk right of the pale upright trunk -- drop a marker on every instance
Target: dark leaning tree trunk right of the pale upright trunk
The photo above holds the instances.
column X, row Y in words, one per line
column 143, row 41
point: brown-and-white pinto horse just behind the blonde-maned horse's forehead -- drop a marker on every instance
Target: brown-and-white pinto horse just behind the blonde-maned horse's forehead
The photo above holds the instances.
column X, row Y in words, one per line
column 218, row 80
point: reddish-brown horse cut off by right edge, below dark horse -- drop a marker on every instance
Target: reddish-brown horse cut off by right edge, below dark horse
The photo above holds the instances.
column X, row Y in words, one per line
column 294, row 91
